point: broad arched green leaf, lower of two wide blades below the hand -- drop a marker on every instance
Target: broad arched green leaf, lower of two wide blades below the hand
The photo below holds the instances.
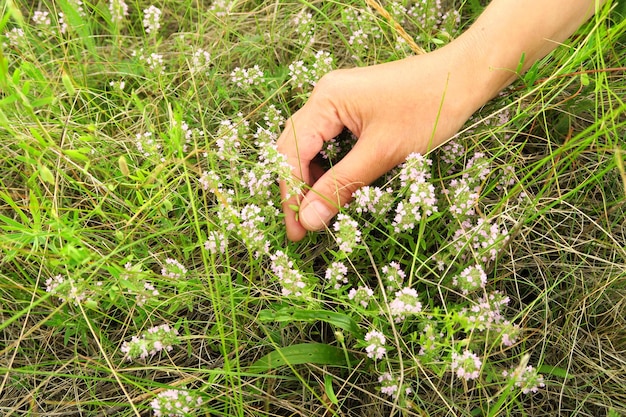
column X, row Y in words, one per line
column 314, row 353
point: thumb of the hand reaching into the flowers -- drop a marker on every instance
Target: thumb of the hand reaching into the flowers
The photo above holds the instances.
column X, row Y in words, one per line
column 360, row 167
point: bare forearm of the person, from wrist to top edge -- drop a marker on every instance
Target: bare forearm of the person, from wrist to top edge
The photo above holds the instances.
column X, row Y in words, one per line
column 510, row 29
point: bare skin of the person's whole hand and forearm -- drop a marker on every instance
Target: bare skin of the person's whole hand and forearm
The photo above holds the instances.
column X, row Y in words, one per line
column 414, row 104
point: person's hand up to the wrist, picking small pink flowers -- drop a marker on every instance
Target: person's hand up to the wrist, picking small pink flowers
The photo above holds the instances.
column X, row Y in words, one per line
column 411, row 105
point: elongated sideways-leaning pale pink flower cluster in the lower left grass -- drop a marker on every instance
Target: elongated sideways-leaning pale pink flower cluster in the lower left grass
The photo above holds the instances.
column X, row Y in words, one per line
column 153, row 341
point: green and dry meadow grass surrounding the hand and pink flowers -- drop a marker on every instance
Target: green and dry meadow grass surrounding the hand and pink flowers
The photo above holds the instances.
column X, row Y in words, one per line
column 101, row 186
